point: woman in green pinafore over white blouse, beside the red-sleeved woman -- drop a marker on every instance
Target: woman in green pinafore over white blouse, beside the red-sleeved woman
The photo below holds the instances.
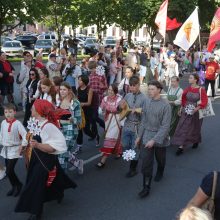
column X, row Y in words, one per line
column 174, row 96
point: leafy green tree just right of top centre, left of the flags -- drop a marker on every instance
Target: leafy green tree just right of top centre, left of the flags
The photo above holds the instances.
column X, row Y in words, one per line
column 129, row 15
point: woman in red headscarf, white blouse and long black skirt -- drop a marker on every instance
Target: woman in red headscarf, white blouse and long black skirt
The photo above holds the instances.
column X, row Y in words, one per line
column 46, row 180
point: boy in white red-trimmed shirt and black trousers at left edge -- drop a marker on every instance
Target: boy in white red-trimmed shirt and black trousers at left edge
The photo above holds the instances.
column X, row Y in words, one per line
column 12, row 138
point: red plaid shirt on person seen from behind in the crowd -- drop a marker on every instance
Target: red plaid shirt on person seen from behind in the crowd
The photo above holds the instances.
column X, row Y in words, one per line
column 95, row 83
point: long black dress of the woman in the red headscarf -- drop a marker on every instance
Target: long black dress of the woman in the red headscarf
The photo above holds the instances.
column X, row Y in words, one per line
column 35, row 191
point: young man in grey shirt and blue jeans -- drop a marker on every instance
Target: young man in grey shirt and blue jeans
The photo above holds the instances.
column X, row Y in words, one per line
column 134, row 99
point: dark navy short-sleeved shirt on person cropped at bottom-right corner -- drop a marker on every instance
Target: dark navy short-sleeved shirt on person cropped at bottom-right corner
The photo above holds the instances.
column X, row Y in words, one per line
column 206, row 187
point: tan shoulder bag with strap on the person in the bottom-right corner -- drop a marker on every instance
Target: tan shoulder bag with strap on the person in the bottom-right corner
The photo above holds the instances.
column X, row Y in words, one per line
column 210, row 203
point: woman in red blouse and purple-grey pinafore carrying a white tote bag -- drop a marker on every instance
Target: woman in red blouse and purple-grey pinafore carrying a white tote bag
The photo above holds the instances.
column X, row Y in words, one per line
column 188, row 130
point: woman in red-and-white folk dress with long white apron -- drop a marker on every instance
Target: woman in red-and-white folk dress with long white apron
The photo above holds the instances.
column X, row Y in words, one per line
column 112, row 143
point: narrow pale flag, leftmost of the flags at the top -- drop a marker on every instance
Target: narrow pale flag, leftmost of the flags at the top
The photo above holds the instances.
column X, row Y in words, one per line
column 161, row 18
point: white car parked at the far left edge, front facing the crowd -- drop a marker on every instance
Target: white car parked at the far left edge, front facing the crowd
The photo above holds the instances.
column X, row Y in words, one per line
column 13, row 48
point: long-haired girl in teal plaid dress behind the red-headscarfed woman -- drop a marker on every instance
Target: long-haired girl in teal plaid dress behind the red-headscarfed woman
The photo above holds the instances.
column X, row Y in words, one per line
column 69, row 124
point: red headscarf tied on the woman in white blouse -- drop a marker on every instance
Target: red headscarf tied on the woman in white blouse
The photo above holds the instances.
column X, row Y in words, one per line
column 47, row 110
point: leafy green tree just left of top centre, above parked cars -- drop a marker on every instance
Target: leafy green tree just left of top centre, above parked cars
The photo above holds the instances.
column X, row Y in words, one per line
column 97, row 12
